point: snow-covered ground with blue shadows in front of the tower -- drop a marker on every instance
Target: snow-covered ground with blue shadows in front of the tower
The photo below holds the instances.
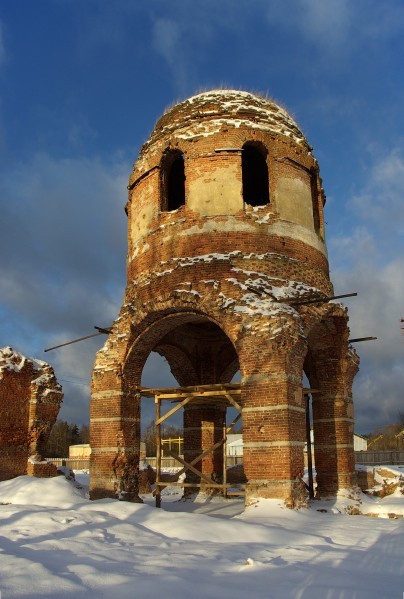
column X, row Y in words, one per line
column 55, row 543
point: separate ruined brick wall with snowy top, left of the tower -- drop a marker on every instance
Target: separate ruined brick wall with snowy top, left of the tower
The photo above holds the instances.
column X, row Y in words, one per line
column 30, row 399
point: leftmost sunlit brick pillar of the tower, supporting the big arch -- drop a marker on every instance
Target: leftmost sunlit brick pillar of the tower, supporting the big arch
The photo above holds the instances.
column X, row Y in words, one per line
column 114, row 437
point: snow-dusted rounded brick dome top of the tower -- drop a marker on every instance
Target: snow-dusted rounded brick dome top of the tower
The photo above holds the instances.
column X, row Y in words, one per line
column 206, row 113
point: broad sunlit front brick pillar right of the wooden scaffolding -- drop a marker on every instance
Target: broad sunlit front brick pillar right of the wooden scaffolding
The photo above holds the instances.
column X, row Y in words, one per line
column 273, row 420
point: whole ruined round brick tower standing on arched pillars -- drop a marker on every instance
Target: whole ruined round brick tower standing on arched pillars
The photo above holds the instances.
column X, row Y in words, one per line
column 225, row 235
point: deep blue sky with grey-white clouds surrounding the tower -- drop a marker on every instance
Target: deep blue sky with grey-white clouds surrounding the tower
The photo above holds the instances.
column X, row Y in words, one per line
column 82, row 83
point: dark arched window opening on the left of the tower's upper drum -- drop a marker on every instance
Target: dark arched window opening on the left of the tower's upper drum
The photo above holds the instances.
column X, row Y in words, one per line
column 173, row 181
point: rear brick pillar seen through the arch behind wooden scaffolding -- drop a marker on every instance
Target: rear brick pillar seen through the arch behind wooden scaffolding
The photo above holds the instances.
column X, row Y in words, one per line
column 203, row 427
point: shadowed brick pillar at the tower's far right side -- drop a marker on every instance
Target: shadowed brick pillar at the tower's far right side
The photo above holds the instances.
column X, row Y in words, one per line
column 333, row 420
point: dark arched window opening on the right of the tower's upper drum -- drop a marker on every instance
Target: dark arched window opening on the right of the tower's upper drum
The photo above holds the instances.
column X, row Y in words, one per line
column 255, row 175
